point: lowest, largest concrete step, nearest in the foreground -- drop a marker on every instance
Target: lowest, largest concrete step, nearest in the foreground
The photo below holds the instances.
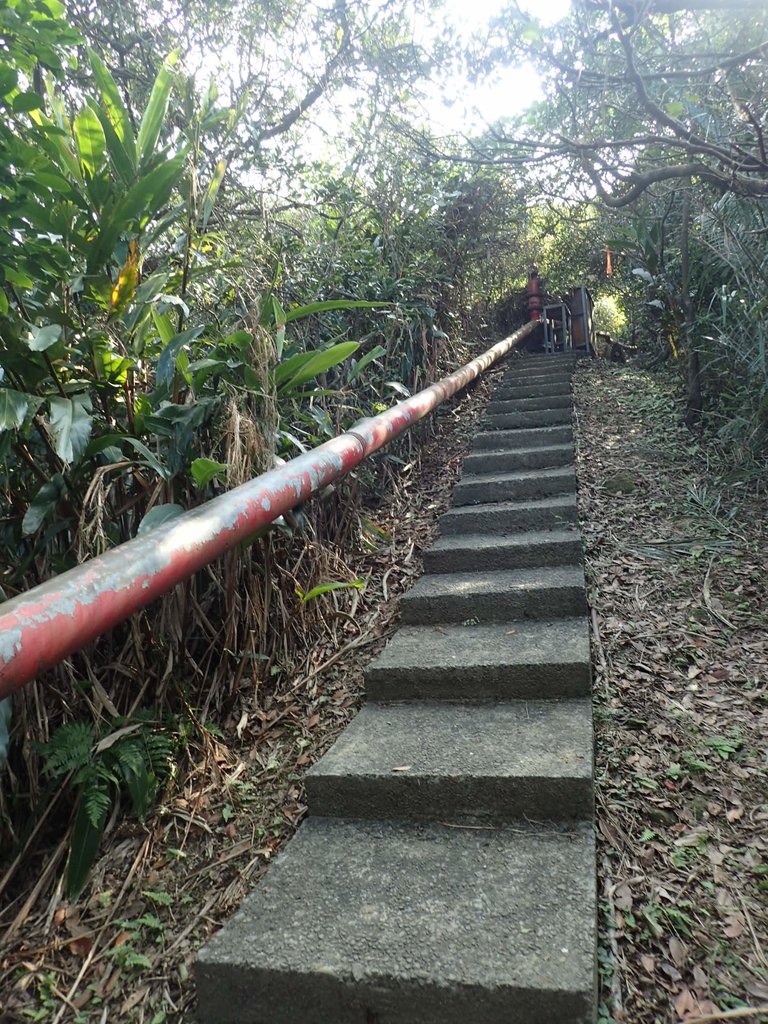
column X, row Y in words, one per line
column 398, row 923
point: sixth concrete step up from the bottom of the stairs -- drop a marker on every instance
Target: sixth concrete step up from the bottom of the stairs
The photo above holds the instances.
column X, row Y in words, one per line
column 502, row 518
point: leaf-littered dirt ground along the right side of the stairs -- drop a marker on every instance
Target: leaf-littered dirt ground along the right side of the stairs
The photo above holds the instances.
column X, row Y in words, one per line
column 676, row 560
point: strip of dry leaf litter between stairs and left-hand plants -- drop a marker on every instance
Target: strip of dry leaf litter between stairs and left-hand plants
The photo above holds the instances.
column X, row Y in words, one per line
column 123, row 952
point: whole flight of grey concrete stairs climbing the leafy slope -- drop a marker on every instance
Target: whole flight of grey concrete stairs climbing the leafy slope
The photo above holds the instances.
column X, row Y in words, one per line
column 446, row 874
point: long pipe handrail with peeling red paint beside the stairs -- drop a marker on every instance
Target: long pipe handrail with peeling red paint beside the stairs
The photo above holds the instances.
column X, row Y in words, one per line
column 40, row 628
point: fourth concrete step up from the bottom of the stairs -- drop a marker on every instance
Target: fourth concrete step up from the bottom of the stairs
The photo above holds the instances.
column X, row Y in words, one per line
column 551, row 592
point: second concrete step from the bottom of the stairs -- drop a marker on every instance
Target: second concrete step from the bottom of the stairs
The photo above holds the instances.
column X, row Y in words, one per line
column 479, row 763
